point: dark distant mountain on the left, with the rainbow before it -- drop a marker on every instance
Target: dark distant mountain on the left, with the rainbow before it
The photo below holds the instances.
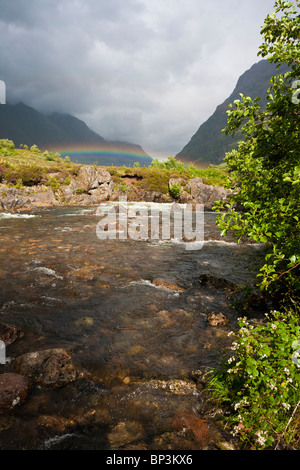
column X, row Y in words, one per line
column 66, row 134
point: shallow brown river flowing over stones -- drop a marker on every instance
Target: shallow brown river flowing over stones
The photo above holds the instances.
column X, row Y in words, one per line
column 141, row 345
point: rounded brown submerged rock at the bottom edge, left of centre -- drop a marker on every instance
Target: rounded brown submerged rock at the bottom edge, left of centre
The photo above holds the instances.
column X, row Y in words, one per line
column 125, row 433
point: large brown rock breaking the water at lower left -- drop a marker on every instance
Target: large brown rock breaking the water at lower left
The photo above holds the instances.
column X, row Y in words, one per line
column 50, row 367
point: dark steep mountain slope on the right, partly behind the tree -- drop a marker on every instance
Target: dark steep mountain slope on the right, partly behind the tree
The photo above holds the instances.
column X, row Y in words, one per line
column 209, row 144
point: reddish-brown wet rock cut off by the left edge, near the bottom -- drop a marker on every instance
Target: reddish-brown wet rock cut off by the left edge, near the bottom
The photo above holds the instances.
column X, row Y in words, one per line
column 14, row 389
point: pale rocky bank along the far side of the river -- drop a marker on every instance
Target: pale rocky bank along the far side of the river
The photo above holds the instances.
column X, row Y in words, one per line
column 93, row 185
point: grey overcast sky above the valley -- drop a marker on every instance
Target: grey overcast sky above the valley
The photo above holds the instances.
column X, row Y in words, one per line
column 144, row 71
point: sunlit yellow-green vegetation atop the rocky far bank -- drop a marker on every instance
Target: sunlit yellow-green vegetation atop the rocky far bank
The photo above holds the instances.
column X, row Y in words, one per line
column 29, row 167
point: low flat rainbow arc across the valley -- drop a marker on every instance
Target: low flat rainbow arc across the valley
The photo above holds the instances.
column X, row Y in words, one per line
column 106, row 155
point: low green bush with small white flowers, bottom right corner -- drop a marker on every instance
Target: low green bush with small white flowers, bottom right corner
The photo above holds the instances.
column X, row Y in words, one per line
column 260, row 380
